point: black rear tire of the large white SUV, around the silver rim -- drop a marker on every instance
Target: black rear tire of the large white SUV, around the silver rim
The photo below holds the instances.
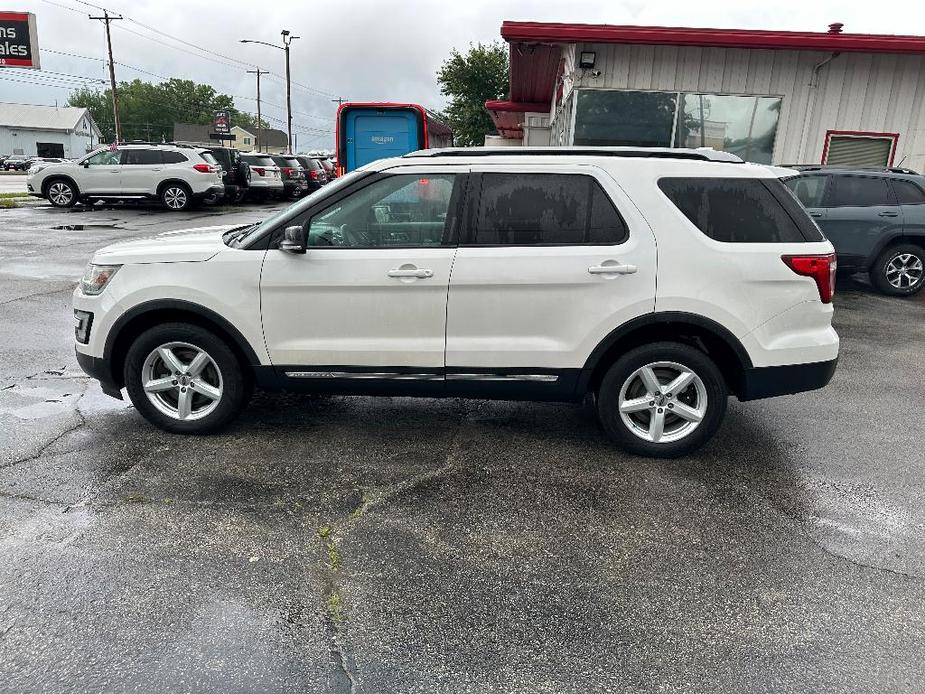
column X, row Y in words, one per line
column 711, row 402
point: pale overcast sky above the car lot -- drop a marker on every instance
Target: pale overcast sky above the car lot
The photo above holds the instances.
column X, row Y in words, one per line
column 363, row 50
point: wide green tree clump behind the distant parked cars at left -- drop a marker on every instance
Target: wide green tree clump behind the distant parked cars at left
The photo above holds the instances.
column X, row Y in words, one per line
column 148, row 111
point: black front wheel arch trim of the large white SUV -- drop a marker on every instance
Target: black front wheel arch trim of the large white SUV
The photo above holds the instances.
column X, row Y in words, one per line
column 136, row 320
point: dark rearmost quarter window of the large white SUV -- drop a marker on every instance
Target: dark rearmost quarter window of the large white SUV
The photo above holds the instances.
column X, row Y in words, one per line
column 741, row 210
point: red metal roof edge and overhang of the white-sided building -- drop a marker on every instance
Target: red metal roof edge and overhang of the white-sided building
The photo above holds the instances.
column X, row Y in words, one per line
column 535, row 53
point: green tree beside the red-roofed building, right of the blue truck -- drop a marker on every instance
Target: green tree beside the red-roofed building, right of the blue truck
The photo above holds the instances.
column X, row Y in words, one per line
column 470, row 80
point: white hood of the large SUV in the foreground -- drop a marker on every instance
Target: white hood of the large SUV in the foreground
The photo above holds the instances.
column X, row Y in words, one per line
column 185, row 246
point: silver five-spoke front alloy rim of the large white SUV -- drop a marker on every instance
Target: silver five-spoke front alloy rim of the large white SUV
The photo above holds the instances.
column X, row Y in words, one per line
column 182, row 381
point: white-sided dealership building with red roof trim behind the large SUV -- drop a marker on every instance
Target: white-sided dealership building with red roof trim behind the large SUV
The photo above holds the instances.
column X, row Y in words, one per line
column 778, row 97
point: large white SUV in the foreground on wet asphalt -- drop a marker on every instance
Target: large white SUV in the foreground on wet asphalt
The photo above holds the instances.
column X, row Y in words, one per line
column 660, row 281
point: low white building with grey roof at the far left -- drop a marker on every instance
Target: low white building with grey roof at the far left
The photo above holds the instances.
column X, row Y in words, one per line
column 47, row 131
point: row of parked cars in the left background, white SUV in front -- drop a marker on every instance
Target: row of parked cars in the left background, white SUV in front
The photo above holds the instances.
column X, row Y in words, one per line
column 177, row 174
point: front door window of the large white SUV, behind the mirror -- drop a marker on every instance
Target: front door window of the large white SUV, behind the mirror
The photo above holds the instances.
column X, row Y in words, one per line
column 401, row 210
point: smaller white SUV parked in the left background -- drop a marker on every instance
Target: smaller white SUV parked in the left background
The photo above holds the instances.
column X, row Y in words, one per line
column 177, row 175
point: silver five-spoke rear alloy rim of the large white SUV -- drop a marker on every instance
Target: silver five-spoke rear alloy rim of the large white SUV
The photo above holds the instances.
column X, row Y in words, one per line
column 663, row 402
